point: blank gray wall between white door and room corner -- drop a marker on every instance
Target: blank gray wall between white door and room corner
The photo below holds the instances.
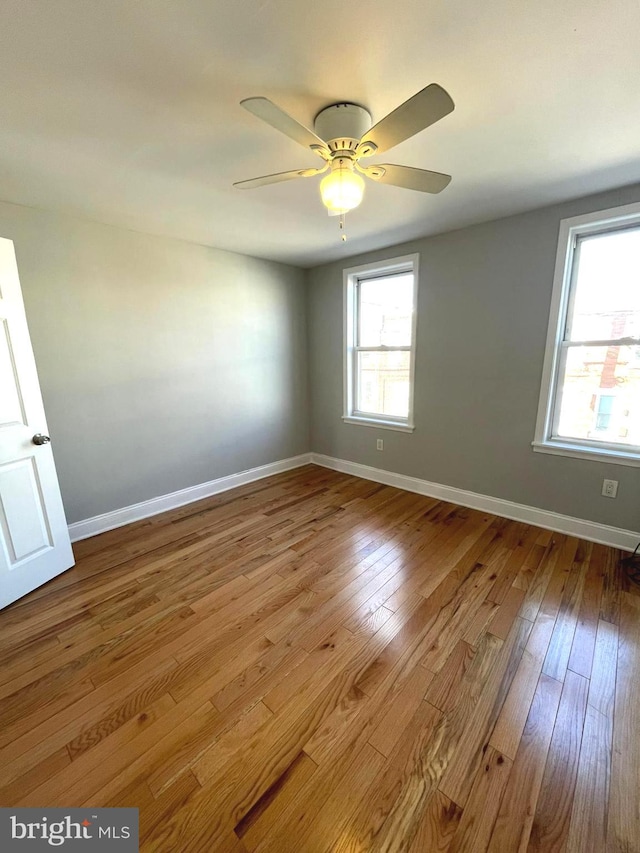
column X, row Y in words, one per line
column 162, row 364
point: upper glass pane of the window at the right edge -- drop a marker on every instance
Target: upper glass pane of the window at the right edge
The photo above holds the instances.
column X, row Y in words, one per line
column 607, row 288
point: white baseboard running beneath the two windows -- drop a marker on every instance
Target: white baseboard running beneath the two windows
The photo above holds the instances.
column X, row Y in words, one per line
column 590, row 530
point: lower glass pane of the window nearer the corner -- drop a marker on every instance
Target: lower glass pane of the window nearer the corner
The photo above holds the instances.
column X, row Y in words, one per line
column 383, row 383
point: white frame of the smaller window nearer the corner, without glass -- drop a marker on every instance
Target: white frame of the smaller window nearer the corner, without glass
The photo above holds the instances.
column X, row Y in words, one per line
column 351, row 276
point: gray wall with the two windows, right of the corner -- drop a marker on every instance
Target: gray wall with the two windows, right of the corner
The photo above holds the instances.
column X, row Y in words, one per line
column 483, row 309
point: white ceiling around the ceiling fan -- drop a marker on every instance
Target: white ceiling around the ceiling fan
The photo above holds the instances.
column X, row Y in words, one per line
column 126, row 111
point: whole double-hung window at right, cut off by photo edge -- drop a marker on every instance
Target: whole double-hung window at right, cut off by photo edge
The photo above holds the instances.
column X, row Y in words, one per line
column 590, row 398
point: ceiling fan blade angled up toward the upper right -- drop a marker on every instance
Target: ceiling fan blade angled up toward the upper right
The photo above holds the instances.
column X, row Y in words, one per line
column 423, row 109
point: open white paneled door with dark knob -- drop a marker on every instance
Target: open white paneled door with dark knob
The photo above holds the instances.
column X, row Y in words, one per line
column 34, row 539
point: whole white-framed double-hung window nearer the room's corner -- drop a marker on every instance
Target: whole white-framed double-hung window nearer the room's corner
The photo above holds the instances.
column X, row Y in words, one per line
column 380, row 331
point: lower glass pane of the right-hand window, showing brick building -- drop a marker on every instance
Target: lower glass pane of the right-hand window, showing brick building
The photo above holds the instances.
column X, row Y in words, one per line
column 601, row 395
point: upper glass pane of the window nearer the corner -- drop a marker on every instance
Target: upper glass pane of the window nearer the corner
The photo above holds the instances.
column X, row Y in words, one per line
column 385, row 307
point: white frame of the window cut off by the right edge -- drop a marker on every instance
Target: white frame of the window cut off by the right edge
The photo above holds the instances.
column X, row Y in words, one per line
column 545, row 440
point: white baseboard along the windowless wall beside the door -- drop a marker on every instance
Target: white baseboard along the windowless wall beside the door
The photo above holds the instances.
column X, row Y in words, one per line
column 136, row 512
